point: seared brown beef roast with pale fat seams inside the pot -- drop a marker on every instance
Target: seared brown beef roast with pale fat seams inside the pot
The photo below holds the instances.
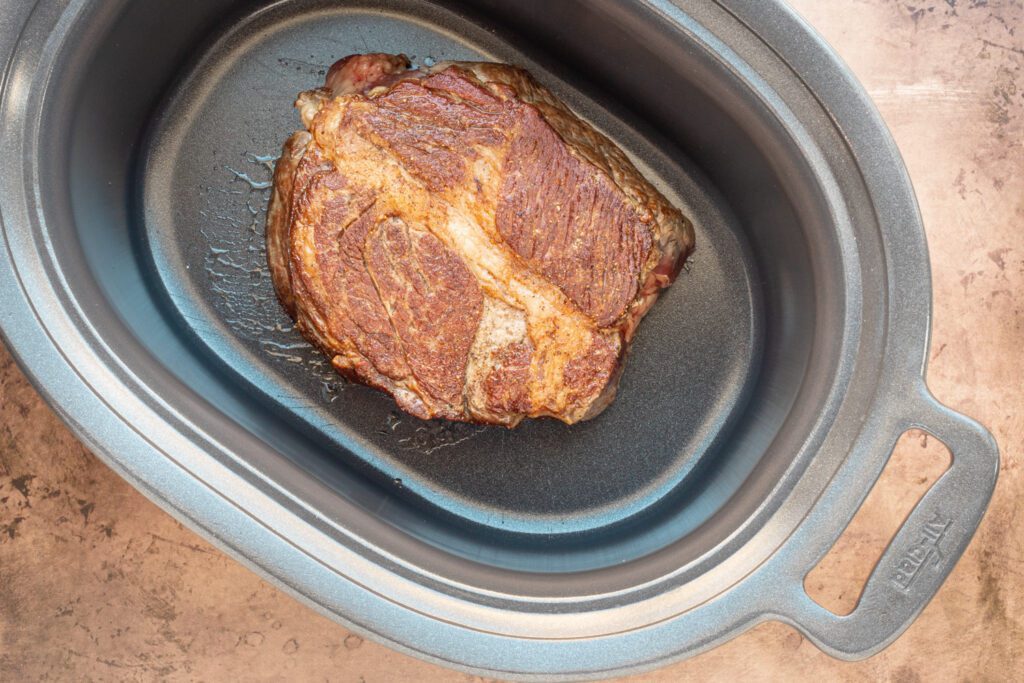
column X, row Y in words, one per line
column 459, row 239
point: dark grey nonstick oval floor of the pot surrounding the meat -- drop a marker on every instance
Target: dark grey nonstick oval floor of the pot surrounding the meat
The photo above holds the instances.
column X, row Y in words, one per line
column 202, row 190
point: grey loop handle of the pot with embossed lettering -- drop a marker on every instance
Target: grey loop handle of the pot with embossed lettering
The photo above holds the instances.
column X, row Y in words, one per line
column 924, row 550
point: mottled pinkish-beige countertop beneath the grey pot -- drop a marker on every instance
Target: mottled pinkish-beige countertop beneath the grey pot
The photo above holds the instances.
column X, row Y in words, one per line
column 98, row 584
